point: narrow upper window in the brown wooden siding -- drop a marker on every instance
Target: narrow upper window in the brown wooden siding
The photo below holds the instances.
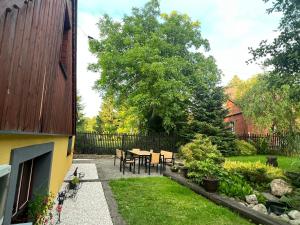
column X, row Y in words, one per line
column 65, row 45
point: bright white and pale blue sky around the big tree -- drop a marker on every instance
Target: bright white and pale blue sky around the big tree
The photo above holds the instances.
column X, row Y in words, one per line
column 231, row 27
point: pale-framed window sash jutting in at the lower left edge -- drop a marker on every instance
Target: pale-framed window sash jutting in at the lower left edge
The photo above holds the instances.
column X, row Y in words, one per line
column 4, row 178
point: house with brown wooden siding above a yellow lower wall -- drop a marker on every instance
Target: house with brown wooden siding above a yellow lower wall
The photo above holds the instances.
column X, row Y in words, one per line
column 37, row 100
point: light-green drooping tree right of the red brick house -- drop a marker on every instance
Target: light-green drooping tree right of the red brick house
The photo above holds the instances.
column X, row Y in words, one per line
column 270, row 108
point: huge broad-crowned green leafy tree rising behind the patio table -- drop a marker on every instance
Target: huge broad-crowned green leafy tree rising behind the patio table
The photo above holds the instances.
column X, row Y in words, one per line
column 148, row 61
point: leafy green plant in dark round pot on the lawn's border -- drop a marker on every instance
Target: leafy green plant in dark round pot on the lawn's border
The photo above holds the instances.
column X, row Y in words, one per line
column 206, row 173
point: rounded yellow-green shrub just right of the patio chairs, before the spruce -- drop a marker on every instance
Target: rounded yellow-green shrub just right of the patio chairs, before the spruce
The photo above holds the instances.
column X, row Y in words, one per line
column 201, row 148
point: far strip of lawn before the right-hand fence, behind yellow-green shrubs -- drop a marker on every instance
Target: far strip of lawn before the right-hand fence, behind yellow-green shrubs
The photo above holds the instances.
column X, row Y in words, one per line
column 284, row 162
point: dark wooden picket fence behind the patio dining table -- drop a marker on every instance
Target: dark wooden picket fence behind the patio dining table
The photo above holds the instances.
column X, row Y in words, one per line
column 105, row 144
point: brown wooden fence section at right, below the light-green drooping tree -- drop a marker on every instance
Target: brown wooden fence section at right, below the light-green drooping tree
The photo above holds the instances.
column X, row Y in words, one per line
column 274, row 142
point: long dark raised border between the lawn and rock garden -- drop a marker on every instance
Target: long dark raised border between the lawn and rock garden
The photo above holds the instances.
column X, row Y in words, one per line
column 254, row 216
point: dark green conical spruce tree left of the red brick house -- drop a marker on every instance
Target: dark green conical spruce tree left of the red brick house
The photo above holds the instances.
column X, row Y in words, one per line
column 207, row 111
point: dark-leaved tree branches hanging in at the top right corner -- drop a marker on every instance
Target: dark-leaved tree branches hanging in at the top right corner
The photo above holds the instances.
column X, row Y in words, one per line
column 282, row 55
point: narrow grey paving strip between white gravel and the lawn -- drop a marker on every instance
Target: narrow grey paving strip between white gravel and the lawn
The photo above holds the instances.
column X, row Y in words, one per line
column 112, row 204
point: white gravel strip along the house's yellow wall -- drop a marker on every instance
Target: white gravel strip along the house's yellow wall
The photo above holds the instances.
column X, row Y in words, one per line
column 89, row 207
